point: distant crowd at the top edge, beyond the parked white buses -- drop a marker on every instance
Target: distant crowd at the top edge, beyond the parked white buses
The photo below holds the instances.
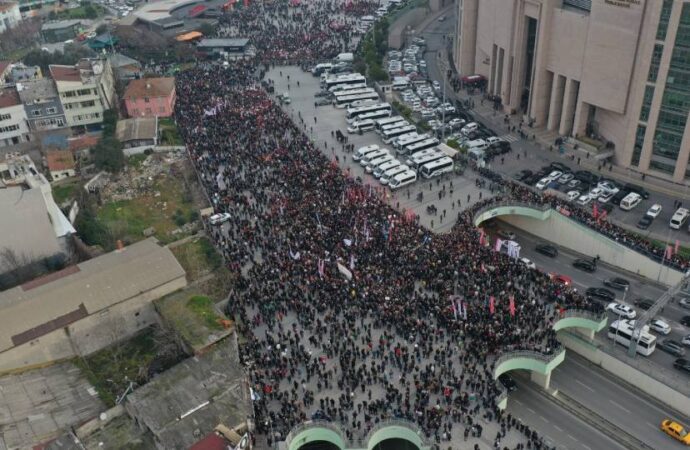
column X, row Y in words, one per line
column 311, row 30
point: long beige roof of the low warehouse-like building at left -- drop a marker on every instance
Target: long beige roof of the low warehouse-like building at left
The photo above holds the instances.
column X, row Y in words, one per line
column 38, row 307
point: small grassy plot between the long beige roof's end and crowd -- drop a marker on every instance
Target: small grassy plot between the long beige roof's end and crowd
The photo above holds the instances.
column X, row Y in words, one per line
column 194, row 317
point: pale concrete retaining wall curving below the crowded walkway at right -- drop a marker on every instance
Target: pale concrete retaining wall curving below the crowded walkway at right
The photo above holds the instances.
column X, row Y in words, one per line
column 566, row 232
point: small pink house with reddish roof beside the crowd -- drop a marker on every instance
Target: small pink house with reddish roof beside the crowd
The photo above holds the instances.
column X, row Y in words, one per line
column 150, row 97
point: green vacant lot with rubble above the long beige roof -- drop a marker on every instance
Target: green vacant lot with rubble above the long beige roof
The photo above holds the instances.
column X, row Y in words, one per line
column 165, row 208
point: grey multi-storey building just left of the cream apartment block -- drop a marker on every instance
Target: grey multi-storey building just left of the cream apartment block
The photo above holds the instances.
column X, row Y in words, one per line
column 42, row 105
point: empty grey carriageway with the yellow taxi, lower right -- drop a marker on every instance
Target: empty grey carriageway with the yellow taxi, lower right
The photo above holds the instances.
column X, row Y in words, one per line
column 635, row 413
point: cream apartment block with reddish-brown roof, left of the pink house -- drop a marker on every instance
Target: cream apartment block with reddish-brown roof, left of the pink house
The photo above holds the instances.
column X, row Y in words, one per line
column 86, row 90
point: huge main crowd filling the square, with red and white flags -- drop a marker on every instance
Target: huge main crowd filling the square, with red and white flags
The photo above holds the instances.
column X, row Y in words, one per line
column 336, row 286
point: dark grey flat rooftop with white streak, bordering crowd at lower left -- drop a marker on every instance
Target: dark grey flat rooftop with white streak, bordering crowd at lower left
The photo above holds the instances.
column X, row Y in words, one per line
column 187, row 402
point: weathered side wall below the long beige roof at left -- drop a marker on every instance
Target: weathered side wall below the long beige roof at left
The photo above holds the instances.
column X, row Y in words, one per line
column 89, row 334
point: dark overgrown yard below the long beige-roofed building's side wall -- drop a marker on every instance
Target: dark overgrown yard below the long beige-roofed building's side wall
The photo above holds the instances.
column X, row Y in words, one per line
column 111, row 370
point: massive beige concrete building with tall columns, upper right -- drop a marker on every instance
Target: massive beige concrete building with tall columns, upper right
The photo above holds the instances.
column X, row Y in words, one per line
column 612, row 71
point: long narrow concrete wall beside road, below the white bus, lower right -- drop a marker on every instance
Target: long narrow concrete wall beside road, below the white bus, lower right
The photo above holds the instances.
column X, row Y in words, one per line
column 628, row 373
